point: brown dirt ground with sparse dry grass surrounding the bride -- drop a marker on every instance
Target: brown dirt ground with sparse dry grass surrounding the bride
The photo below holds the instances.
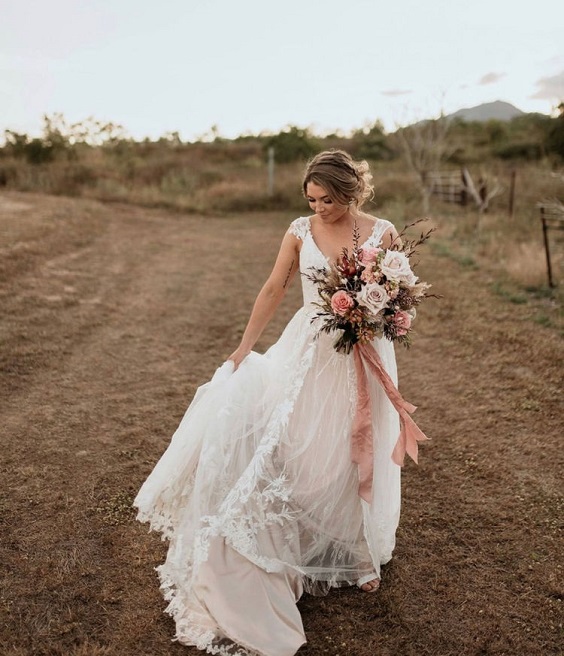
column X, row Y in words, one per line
column 112, row 315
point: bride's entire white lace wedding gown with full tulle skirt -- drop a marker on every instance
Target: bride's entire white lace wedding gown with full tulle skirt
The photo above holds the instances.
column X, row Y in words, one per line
column 257, row 492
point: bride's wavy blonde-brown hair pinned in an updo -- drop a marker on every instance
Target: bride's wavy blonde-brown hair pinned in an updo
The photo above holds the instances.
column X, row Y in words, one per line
column 343, row 179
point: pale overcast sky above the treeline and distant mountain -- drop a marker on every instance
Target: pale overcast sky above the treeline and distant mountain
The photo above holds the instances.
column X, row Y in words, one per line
column 247, row 66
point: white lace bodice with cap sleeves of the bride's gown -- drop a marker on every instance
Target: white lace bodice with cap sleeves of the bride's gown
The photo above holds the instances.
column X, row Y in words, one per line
column 311, row 256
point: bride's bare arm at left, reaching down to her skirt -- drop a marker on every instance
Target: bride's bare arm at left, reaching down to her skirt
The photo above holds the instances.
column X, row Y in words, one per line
column 270, row 296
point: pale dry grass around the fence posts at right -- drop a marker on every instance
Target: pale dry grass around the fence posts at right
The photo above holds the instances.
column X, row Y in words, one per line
column 509, row 251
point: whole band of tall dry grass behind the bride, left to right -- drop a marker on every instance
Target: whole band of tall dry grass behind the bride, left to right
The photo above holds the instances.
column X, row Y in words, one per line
column 226, row 177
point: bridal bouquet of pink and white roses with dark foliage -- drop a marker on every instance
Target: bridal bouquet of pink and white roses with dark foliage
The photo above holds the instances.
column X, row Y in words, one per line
column 370, row 292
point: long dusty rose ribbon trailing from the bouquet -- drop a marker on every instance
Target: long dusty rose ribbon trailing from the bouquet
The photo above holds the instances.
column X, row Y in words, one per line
column 361, row 440
